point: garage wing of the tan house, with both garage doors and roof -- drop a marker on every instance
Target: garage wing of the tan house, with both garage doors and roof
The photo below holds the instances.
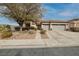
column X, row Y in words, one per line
column 54, row 25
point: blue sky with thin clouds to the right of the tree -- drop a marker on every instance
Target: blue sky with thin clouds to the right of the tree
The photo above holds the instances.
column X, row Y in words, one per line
column 60, row 11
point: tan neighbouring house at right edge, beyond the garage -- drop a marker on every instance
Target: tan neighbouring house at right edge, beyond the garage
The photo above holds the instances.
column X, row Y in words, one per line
column 74, row 25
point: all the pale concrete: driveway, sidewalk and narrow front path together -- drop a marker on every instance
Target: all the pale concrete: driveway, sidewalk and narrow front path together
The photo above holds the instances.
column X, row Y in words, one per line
column 56, row 39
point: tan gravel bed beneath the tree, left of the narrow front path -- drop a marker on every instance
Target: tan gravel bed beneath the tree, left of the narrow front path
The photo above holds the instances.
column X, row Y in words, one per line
column 22, row 35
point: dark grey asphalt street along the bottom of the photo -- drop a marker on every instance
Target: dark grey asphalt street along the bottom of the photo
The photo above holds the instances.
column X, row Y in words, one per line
column 57, row 51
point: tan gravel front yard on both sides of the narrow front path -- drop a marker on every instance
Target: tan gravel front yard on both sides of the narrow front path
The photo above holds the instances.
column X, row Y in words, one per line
column 24, row 35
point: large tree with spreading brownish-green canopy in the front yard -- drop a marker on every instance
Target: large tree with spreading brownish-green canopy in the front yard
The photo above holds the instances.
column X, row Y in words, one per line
column 24, row 12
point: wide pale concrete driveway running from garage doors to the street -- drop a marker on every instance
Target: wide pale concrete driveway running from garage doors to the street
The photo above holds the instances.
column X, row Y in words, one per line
column 62, row 38
